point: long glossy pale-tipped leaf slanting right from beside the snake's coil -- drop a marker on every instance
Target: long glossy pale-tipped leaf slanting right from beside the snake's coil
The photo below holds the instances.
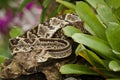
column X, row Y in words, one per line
column 100, row 46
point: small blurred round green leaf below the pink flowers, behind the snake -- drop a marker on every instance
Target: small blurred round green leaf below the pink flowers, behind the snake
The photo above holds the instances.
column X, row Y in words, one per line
column 15, row 31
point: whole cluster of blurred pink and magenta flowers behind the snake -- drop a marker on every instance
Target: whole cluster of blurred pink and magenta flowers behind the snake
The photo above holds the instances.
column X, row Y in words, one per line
column 27, row 18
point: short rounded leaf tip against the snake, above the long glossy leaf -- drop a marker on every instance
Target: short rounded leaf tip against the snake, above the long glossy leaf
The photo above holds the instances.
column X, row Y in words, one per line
column 70, row 30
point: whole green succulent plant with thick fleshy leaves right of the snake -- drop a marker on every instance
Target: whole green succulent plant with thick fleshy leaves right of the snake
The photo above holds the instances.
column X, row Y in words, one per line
column 102, row 48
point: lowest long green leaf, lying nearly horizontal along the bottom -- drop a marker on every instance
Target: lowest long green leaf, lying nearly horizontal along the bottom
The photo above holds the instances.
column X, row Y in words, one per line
column 84, row 69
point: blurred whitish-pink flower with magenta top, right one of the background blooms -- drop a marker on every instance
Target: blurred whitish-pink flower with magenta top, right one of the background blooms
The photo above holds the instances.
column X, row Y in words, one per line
column 29, row 17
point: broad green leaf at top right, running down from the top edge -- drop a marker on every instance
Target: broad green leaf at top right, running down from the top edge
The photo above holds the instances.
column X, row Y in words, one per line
column 104, row 12
